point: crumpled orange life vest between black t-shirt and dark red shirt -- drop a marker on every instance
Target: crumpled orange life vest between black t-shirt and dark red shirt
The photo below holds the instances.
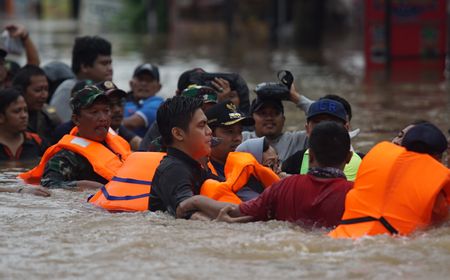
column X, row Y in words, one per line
column 238, row 169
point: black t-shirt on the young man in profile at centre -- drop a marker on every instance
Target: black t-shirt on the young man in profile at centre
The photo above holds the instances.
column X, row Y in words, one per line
column 177, row 178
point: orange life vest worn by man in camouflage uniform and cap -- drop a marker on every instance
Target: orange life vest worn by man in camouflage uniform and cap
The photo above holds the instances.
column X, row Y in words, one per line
column 103, row 160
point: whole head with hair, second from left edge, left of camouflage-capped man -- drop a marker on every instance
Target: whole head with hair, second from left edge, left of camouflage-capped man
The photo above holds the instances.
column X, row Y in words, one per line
column 34, row 85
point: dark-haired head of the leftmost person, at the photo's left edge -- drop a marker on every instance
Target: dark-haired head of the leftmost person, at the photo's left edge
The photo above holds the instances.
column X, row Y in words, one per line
column 13, row 111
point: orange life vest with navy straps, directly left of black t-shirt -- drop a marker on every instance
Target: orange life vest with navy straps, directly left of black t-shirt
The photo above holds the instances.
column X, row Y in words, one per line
column 129, row 189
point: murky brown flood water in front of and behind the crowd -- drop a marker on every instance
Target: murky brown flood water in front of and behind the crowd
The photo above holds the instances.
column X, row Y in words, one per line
column 63, row 237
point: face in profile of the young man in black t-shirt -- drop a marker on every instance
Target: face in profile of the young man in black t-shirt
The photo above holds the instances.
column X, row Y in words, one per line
column 197, row 139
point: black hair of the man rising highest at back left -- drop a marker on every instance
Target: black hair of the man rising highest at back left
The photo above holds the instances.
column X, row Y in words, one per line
column 86, row 50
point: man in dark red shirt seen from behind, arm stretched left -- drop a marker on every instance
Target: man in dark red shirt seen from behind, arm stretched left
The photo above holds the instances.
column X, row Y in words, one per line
column 315, row 199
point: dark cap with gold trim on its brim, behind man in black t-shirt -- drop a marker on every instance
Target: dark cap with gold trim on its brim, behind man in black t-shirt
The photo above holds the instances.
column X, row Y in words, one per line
column 225, row 113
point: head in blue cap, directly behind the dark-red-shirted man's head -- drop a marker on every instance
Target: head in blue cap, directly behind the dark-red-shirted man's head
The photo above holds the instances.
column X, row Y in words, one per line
column 325, row 110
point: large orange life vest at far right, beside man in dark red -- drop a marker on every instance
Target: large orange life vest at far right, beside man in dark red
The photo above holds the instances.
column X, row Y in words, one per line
column 394, row 192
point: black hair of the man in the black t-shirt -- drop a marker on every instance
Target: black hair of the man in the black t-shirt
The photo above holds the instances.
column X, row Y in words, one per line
column 176, row 112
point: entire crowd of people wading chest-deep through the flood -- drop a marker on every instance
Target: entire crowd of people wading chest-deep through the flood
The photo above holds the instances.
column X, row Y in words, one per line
column 208, row 152
